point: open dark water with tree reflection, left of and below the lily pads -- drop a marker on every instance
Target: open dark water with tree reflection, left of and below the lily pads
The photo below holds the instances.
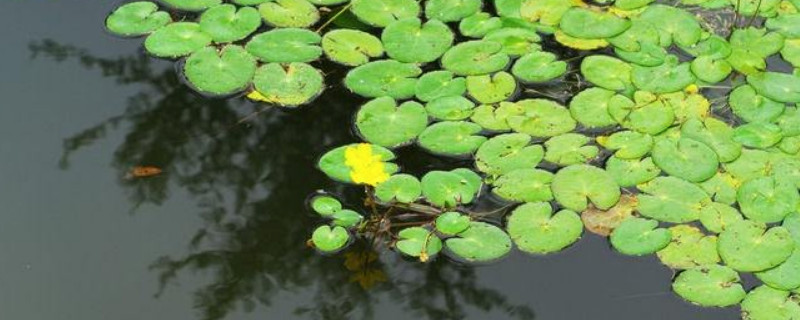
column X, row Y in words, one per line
column 221, row 233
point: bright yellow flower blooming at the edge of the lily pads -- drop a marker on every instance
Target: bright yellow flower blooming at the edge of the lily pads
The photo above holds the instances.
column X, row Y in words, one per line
column 366, row 167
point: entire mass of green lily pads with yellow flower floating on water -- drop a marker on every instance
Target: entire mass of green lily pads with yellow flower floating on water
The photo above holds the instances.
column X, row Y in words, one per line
column 639, row 154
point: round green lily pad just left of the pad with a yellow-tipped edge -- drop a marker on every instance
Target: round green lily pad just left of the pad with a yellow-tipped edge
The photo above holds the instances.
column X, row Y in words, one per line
column 228, row 71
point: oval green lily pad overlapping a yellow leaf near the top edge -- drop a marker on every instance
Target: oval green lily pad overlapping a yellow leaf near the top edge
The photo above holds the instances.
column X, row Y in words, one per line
column 590, row 24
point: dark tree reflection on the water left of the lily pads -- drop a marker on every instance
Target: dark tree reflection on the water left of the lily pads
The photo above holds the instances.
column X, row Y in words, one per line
column 250, row 181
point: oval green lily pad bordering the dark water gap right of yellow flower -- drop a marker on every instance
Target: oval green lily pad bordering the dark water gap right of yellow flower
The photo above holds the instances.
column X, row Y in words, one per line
column 452, row 138
